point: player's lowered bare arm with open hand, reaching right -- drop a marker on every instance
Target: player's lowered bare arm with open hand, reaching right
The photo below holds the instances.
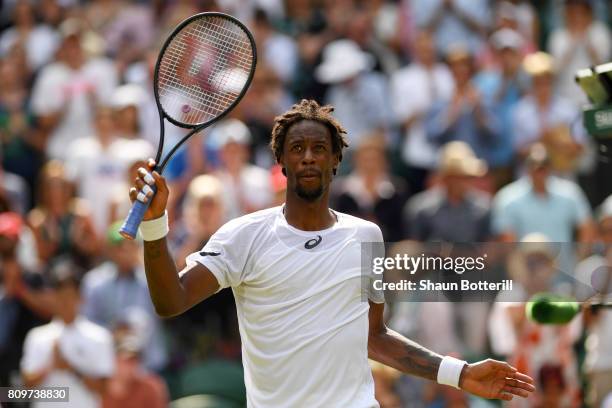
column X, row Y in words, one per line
column 487, row 379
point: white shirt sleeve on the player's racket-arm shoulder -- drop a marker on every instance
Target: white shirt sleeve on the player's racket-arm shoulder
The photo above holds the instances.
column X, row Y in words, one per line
column 226, row 254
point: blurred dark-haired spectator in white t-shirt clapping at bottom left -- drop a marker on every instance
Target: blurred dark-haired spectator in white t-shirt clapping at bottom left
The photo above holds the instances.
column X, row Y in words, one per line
column 70, row 351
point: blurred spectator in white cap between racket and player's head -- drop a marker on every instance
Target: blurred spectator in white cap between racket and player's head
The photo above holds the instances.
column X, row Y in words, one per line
column 246, row 187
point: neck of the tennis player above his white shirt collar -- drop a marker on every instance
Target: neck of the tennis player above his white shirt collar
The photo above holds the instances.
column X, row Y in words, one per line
column 308, row 216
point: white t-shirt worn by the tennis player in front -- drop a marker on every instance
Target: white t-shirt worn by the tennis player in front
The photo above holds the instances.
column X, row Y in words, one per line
column 302, row 312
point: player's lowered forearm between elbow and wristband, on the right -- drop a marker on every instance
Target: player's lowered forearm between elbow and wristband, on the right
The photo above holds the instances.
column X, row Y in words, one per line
column 391, row 348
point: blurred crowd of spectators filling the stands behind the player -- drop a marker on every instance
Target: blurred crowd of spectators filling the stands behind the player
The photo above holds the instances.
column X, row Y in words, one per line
column 464, row 123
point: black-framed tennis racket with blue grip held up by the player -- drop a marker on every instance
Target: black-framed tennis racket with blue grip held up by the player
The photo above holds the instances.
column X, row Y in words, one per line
column 203, row 70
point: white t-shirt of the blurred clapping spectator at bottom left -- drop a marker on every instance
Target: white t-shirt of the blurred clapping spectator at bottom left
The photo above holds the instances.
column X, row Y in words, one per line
column 85, row 345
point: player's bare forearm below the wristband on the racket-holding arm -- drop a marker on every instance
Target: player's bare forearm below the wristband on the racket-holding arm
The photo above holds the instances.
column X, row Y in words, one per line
column 166, row 291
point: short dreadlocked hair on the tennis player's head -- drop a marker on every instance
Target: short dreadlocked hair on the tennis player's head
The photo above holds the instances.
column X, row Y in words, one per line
column 308, row 109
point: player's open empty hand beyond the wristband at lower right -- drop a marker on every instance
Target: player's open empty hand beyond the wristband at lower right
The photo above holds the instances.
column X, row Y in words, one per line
column 495, row 380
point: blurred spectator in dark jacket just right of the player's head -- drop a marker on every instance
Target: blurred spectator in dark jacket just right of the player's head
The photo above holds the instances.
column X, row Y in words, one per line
column 371, row 192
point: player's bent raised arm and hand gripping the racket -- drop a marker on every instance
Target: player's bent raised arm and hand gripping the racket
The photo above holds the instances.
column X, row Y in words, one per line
column 172, row 293
